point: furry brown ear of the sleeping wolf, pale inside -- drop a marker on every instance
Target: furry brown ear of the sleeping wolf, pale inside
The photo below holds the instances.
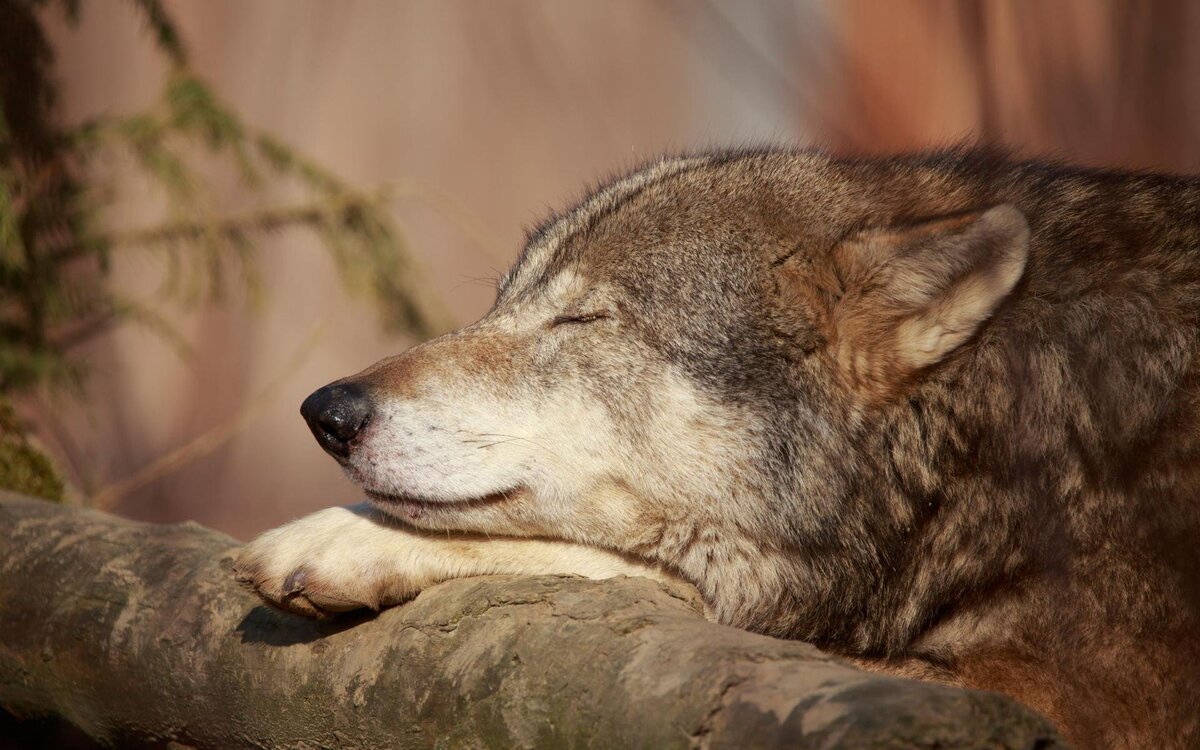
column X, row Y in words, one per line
column 909, row 297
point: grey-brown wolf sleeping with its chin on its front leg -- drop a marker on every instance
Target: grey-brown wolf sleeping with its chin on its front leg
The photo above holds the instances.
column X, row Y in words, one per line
column 937, row 413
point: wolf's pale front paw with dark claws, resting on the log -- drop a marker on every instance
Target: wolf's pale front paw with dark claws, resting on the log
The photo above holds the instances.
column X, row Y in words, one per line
column 334, row 561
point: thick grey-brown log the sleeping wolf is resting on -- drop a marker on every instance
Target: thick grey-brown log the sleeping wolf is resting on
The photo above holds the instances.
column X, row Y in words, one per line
column 136, row 635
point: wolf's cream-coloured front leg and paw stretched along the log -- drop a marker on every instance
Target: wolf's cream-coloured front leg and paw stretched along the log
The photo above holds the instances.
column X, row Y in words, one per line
column 350, row 559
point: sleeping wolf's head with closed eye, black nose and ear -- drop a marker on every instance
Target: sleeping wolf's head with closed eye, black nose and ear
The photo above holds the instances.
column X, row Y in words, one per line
column 685, row 368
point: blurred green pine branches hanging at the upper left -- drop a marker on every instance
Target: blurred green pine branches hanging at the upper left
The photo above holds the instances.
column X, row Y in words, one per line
column 55, row 183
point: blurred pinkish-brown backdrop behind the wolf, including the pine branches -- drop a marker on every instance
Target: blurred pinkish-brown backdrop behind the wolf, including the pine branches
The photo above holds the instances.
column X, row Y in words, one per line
column 422, row 139
